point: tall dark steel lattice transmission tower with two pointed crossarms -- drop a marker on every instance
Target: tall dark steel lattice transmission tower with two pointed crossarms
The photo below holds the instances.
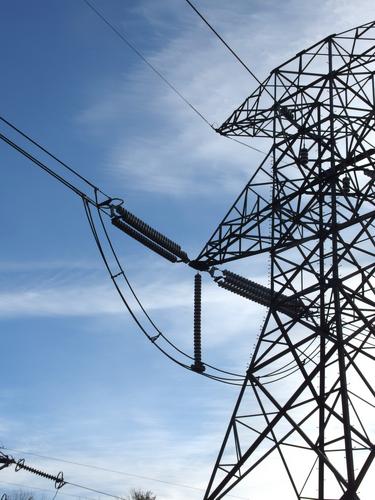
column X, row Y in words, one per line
column 309, row 392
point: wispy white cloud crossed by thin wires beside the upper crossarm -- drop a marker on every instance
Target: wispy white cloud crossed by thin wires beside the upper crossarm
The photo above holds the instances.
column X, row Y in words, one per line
column 178, row 155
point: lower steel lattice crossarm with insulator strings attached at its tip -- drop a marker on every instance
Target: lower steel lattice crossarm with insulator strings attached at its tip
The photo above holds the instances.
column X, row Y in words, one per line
column 245, row 229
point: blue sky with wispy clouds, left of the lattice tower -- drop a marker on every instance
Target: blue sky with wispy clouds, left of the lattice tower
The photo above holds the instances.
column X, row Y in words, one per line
column 78, row 380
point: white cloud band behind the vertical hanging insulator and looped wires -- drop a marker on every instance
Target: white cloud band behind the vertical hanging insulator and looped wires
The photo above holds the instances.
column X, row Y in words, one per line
column 166, row 293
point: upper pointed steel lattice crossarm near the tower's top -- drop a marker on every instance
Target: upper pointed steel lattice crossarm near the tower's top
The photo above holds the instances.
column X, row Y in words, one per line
column 254, row 117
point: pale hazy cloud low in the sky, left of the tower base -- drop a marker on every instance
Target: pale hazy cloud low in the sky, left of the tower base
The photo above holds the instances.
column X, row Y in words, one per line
column 157, row 450
